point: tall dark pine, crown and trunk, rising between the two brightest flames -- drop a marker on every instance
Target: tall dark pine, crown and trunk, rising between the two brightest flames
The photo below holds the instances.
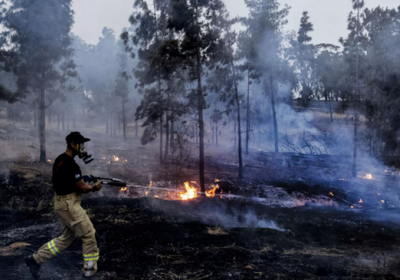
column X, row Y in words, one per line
column 199, row 23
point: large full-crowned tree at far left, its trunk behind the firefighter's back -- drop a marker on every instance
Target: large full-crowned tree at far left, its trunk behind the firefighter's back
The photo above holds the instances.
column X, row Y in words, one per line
column 42, row 46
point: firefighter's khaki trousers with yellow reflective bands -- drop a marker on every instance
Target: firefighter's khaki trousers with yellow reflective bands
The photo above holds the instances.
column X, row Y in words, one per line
column 74, row 222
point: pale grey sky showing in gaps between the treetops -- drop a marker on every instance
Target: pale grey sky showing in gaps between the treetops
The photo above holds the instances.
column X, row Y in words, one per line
column 329, row 17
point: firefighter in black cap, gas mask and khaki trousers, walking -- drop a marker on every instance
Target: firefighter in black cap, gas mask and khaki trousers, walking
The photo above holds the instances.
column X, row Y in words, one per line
column 68, row 185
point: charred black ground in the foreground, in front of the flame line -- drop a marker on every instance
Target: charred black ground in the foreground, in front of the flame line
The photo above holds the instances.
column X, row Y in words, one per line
column 147, row 238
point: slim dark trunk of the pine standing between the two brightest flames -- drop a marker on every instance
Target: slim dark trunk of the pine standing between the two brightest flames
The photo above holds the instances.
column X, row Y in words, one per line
column 200, row 104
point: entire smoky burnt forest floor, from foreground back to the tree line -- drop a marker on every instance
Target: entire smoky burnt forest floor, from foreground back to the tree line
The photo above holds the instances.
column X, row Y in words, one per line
column 292, row 217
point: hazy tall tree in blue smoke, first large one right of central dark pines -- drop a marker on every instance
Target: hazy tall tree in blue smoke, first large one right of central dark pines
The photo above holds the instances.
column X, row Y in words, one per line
column 261, row 45
